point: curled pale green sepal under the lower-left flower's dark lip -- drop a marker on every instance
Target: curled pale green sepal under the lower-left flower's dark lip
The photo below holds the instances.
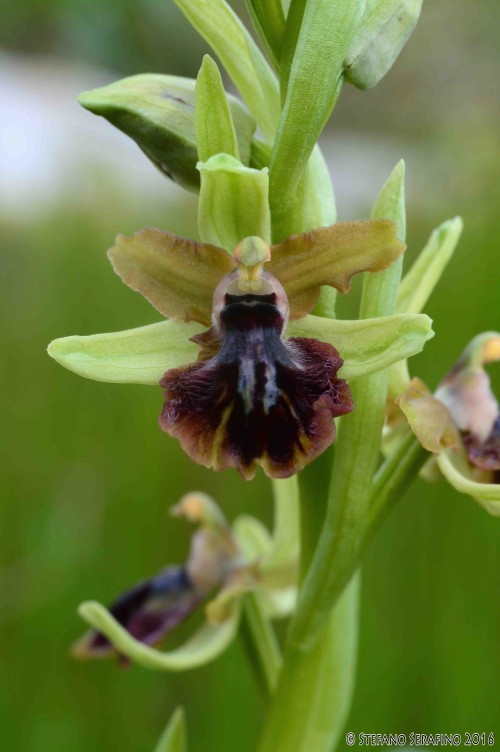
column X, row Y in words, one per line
column 204, row 646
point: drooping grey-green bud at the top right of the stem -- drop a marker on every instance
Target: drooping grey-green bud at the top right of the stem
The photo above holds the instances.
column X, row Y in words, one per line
column 385, row 29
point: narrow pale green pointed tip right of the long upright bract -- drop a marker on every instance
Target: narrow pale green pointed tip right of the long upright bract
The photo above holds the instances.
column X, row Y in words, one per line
column 417, row 285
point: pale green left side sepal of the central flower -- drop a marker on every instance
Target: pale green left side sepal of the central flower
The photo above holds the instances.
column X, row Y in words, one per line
column 134, row 356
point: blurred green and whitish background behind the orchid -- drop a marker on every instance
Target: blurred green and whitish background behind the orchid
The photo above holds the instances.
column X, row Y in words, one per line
column 88, row 477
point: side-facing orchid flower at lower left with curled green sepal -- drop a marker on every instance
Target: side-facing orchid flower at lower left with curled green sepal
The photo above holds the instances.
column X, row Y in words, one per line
column 225, row 563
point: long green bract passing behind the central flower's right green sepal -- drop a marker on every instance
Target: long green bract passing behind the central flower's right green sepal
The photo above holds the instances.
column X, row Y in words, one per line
column 356, row 453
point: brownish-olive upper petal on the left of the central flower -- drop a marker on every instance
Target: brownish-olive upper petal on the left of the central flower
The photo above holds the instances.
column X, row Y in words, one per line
column 178, row 276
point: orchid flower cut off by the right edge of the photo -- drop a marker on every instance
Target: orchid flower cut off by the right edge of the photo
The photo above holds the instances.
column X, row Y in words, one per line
column 460, row 422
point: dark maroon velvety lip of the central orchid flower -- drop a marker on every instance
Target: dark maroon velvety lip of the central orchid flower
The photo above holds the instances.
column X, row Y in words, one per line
column 260, row 400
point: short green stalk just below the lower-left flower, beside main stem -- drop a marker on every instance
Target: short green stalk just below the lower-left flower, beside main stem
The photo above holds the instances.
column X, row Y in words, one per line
column 263, row 644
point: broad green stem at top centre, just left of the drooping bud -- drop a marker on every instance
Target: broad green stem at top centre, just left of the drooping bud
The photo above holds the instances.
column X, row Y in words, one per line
column 313, row 85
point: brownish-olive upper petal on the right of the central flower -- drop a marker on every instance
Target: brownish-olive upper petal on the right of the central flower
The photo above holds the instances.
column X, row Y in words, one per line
column 331, row 256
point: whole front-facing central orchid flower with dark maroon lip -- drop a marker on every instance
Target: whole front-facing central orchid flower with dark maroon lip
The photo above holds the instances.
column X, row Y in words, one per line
column 264, row 388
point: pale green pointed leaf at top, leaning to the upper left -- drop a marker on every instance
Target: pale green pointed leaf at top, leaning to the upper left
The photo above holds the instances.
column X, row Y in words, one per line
column 222, row 29
